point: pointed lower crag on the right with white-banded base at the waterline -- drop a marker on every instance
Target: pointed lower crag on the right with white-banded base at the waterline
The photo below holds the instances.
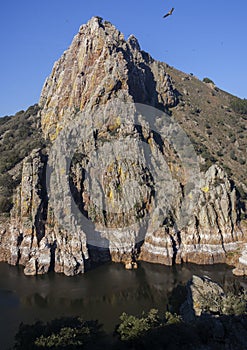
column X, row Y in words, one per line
column 210, row 234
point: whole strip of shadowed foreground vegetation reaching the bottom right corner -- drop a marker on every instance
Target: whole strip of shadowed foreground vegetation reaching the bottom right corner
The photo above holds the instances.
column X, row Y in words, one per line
column 150, row 331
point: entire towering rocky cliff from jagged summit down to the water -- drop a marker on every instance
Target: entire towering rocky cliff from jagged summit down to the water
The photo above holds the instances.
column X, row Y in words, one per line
column 116, row 182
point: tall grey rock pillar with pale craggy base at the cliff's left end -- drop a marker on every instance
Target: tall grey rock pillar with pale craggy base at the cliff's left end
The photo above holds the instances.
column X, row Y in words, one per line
column 33, row 238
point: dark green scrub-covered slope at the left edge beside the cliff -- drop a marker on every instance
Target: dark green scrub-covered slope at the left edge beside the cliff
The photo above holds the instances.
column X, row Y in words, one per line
column 19, row 135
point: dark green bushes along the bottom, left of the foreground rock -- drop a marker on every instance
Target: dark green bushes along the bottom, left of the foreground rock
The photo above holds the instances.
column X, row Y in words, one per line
column 75, row 333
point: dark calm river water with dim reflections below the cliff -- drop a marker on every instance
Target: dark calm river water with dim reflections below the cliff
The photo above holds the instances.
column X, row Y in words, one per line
column 103, row 293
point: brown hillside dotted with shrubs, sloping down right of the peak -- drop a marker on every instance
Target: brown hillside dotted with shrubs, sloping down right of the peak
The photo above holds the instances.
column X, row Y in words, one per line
column 218, row 133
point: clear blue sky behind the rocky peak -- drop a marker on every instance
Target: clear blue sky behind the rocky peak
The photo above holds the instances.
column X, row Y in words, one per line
column 206, row 38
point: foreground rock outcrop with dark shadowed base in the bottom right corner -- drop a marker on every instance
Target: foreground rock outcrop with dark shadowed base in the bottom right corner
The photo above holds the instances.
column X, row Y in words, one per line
column 220, row 317
